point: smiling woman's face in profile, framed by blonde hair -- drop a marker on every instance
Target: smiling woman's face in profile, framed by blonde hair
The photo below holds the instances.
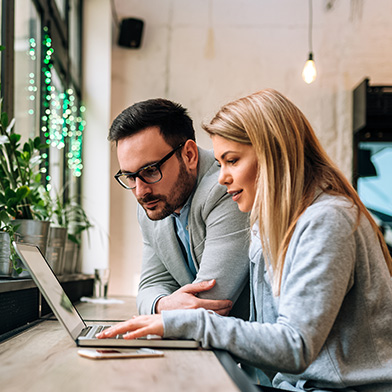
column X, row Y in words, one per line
column 238, row 170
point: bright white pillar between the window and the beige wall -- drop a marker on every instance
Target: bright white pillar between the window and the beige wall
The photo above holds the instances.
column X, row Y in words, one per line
column 97, row 42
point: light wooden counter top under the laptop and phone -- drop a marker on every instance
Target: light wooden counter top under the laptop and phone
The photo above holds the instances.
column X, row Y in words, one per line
column 44, row 358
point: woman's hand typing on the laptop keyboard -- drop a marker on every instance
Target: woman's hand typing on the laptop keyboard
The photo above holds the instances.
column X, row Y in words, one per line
column 136, row 327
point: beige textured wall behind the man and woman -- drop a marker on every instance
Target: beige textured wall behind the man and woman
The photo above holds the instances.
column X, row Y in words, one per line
column 203, row 53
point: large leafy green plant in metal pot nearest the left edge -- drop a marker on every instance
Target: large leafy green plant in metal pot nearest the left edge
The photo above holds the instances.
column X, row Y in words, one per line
column 22, row 195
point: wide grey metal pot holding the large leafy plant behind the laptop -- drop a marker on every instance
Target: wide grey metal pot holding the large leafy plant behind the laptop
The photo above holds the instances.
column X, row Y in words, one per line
column 33, row 232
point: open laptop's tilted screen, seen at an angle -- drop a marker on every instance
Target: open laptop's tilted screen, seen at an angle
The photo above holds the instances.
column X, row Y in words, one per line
column 50, row 287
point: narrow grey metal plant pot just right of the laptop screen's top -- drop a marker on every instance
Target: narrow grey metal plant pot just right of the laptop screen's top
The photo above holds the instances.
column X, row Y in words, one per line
column 55, row 249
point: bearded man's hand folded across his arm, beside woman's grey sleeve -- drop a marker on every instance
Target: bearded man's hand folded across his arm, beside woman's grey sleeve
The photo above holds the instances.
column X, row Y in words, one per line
column 186, row 298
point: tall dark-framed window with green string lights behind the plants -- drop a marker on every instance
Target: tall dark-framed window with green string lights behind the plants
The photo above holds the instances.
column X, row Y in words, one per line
column 43, row 87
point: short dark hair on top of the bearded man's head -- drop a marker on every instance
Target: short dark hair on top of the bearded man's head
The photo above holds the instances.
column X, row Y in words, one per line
column 172, row 119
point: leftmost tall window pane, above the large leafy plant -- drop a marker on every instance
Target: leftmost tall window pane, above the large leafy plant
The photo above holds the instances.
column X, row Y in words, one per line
column 27, row 69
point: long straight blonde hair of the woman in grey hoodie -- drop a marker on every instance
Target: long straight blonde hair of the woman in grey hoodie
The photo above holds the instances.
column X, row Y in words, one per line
column 292, row 166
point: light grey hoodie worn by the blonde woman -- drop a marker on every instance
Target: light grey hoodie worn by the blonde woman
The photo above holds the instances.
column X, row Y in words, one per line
column 331, row 326
